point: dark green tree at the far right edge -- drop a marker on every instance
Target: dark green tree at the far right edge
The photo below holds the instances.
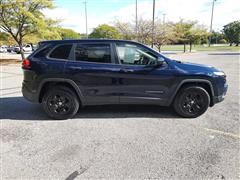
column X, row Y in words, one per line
column 232, row 32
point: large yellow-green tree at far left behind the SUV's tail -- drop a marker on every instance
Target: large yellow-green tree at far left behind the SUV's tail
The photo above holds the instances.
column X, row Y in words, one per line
column 23, row 17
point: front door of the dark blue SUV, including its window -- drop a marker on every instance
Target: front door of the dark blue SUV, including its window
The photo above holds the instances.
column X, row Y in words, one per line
column 139, row 81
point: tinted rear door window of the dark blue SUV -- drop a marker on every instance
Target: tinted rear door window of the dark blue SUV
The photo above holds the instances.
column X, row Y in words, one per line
column 99, row 53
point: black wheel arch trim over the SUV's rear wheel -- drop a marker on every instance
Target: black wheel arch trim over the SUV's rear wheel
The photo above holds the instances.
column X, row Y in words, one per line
column 48, row 83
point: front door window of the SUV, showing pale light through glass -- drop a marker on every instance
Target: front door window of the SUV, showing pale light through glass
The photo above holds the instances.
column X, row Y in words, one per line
column 134, row 55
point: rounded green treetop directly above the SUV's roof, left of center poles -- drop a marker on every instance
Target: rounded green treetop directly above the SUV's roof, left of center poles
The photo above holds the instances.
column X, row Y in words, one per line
column 105, row 31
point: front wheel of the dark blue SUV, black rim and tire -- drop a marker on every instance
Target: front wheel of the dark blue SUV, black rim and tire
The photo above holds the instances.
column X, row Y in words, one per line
column 191, row 101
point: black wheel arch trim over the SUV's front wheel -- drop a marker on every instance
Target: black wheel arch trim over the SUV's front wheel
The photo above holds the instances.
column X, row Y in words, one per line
column 206, row 84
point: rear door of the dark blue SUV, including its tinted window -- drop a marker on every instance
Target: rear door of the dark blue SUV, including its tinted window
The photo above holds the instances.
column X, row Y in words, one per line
column 93, row 67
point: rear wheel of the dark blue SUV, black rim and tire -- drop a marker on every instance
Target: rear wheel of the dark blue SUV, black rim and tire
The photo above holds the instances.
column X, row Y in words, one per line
column 60, row 103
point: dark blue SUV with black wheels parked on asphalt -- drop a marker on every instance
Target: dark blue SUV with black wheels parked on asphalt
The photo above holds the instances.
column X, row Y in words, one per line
column 64, row 75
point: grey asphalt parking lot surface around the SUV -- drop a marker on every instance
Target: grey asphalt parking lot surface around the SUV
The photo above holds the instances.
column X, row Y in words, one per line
column 121, row 142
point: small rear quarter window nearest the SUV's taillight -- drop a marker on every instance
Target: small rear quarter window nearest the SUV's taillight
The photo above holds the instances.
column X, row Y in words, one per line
column 61, row 52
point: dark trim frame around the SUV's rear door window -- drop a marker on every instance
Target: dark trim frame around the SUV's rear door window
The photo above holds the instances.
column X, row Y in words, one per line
column 113, row 58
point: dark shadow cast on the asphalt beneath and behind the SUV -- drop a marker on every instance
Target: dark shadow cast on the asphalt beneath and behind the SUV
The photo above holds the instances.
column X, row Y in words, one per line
column 17, row 108
